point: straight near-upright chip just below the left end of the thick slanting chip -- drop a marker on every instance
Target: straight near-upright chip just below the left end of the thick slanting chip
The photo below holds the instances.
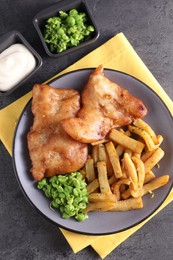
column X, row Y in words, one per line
column 114, row 159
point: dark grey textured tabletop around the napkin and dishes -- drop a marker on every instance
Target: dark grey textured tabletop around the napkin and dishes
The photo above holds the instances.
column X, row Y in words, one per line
column 148, row 25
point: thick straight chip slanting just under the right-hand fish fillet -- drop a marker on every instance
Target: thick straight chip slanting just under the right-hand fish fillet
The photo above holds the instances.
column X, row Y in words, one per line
column 126, row 141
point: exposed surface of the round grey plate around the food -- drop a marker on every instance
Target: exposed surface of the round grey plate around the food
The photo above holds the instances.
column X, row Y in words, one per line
column 107, row 222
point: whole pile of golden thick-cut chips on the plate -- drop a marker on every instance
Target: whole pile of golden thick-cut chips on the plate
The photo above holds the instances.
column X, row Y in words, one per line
column 132, row 161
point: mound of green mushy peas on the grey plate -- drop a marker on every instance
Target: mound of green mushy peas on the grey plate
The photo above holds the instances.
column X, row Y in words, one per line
column 68, row 193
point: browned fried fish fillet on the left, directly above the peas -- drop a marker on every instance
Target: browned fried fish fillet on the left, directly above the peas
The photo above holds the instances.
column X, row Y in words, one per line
column 52, row 150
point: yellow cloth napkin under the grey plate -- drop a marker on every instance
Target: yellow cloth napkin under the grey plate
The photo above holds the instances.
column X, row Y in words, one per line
column 117, row 53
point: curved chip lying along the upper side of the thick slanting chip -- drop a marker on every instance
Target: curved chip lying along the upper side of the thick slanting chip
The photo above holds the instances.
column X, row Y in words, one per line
column 146, row 137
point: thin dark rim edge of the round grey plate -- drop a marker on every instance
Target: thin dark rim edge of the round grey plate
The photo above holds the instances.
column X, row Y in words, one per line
column 23, row 190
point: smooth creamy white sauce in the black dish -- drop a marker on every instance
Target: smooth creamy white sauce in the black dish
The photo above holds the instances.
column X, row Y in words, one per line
column 16, row 62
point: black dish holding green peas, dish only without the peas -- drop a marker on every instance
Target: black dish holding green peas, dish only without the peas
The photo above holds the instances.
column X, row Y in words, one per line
column 65, row 5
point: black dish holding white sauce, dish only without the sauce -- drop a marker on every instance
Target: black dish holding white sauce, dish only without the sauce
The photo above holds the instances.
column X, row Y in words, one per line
column 9, row 39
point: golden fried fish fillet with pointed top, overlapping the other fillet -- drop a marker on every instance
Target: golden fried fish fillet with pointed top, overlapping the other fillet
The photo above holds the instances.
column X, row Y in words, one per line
column 105, row 105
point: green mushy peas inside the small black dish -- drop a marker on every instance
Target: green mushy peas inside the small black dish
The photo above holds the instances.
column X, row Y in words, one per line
column 66, row 30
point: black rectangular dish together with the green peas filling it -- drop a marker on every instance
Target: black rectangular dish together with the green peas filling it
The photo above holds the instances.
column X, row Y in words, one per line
column 65, row 27
